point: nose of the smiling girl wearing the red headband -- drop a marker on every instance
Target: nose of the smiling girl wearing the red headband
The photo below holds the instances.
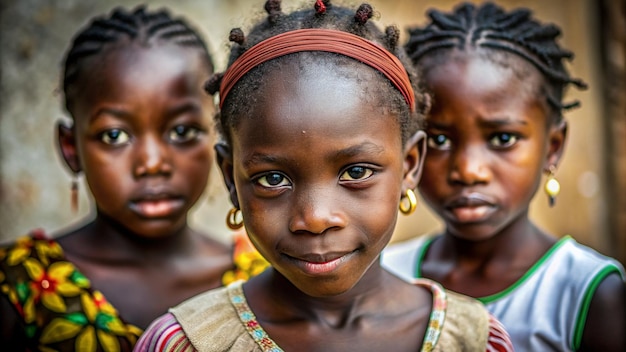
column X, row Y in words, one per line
column 316, row 211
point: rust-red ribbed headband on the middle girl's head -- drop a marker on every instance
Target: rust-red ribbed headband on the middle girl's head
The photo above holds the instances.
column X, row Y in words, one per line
column 317, row 39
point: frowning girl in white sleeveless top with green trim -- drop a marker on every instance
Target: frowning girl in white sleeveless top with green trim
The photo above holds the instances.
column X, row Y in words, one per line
column 497, row 80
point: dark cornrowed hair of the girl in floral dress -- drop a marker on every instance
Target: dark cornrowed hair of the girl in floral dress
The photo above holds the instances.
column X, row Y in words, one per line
column 140, row 25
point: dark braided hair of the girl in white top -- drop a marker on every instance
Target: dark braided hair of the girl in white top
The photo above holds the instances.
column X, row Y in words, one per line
column 489, row 26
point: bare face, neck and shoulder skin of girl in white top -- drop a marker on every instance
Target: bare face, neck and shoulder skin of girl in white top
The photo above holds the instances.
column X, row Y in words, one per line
column 490, row 139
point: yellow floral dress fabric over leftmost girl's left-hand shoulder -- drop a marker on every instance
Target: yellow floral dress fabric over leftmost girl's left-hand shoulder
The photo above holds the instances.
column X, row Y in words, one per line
column 60, row 310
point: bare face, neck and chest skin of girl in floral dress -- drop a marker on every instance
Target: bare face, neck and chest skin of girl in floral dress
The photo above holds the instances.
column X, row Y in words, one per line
column 142, row 137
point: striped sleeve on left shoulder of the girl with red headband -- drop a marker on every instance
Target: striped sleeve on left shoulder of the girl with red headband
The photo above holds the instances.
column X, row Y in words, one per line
column 164, row 334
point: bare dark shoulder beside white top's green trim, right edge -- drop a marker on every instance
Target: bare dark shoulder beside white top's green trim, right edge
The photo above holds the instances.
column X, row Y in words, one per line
column 606, row 319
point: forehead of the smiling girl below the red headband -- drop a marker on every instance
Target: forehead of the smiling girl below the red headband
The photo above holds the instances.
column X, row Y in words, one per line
column 312, row 106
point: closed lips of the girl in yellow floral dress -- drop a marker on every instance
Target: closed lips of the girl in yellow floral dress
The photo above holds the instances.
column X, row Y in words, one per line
column 157, row 205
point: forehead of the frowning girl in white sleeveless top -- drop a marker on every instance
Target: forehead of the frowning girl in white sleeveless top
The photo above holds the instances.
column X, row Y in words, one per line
column 474, row 85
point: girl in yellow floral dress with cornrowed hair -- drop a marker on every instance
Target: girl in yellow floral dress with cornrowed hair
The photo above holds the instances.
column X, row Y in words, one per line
column 142, row 136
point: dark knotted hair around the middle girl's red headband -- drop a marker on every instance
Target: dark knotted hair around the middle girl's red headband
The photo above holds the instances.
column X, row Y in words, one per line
column 322, row 15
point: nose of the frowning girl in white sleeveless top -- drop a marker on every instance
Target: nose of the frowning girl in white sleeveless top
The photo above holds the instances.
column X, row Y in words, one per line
column 469, row 166
